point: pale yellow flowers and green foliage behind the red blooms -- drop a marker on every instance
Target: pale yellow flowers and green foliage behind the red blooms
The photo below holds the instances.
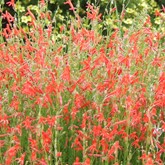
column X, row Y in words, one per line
column 59, row 10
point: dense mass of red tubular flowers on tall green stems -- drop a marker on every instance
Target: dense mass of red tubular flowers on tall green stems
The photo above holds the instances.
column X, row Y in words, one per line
column 79, row 97
